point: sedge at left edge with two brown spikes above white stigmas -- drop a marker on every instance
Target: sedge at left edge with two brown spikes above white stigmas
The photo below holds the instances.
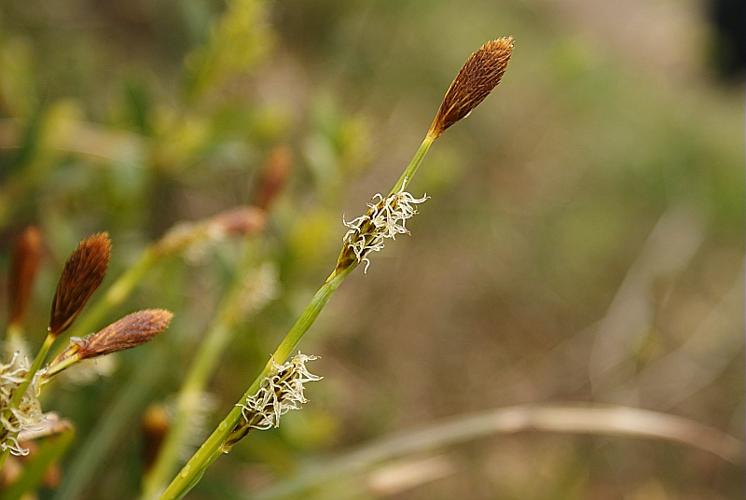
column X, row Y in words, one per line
column 21, row 382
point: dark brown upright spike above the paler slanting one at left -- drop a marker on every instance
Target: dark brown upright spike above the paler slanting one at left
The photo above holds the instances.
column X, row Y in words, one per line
column 83, row 273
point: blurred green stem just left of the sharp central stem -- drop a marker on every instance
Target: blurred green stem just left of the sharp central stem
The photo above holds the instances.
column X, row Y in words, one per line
column 217, row 338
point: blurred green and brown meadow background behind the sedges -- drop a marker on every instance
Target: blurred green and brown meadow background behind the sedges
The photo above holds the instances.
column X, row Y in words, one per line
column 583, row 243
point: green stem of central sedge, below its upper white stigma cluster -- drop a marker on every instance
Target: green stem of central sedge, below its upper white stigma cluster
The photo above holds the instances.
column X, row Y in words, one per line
column 213, row 446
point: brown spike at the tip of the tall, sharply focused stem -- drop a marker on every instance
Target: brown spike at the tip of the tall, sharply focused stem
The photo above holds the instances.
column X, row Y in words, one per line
column 478, row 76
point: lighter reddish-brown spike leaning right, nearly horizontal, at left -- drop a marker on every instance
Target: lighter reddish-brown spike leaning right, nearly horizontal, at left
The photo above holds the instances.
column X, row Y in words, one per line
column 128, row 332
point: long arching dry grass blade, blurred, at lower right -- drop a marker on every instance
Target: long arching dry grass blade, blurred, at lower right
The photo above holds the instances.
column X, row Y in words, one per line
column 578, row 419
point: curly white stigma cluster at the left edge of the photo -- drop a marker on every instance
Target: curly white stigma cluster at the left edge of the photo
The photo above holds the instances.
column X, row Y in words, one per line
column 27, row 417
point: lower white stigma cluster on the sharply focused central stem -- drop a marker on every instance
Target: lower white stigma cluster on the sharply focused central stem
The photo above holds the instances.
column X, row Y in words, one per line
column 279, row 393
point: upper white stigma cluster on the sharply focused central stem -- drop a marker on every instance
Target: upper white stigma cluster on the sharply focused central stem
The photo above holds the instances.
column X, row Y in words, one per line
column 386, row 217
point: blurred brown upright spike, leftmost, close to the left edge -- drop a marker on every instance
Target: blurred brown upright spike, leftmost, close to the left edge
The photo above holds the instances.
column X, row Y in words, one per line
column 24, row 266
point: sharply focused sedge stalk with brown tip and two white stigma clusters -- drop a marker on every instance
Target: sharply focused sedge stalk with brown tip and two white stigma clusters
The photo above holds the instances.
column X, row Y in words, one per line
column 279, row 387
